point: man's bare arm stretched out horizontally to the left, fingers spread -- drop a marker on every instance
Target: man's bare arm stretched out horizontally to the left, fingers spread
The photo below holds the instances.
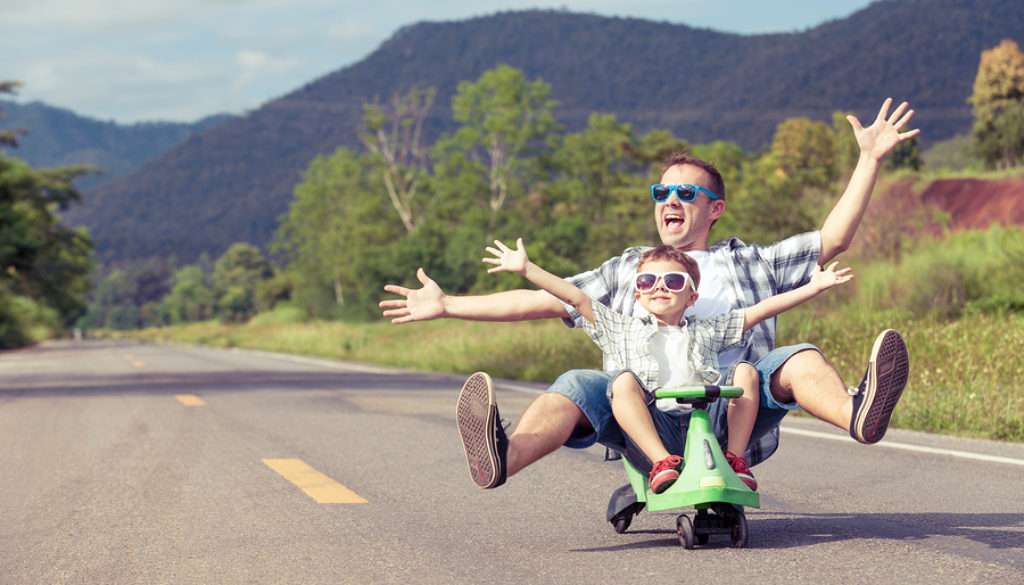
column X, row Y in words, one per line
column 431, row 303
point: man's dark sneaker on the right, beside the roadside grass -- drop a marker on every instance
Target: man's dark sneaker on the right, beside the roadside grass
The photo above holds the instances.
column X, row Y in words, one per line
column 881, row 389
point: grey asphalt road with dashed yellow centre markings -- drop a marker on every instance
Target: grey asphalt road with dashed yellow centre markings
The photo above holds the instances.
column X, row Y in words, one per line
column 134, row 464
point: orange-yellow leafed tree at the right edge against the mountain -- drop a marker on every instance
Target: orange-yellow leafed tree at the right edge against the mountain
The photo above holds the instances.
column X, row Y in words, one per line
column 998, row 98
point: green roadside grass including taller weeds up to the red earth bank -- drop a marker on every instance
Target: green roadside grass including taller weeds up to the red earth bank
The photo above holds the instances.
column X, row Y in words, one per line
column 957, row 302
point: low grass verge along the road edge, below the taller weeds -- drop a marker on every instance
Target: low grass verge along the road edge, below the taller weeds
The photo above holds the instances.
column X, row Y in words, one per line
column 966, row 374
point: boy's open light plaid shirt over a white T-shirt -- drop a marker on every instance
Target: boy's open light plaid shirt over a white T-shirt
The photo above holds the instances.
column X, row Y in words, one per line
column 626, row 343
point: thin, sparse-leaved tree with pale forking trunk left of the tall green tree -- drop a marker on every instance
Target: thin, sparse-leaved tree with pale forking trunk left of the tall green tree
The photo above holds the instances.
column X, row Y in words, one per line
column 393, row 136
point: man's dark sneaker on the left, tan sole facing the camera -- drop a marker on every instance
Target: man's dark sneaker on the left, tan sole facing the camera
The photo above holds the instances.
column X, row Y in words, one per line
column 483, row 436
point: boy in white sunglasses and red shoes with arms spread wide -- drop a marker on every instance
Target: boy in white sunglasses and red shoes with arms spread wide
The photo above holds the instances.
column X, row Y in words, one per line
column 664, row 350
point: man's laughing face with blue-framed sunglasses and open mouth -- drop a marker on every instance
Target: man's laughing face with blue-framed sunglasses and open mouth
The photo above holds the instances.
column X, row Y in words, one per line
column 687, row 226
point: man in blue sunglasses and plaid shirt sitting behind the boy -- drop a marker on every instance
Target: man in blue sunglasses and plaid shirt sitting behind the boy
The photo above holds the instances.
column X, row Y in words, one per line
column 576, row 411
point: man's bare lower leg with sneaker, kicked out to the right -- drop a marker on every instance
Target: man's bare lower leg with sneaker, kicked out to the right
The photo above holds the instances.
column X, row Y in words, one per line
column 806, row 379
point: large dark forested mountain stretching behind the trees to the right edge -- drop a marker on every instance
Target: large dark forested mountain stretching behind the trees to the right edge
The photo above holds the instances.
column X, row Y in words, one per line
column 232, row 182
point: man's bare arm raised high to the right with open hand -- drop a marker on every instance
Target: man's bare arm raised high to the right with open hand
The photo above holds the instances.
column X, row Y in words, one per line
column 876, row 143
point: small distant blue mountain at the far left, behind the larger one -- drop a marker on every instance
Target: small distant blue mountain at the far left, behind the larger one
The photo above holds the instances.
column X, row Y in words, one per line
column 61, row 138
